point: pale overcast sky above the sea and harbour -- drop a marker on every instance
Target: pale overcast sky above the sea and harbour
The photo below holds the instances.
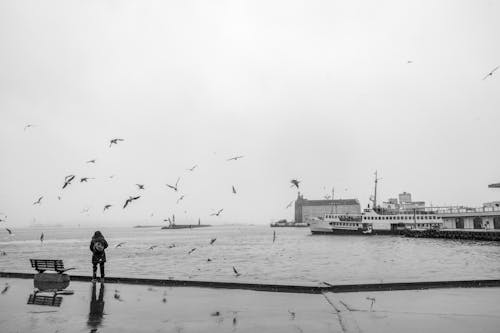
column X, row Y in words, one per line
column 321, row 91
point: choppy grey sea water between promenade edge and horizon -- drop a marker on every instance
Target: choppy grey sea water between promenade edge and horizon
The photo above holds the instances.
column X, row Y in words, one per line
column 295, row 257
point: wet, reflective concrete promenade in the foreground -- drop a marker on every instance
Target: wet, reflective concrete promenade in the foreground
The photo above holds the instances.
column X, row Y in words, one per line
column 125, row 307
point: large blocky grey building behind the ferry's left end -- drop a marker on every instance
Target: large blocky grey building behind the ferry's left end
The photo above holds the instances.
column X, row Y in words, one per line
column 305, row 208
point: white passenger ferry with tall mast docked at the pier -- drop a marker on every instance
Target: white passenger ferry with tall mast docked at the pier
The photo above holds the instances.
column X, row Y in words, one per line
column 375, row 221
